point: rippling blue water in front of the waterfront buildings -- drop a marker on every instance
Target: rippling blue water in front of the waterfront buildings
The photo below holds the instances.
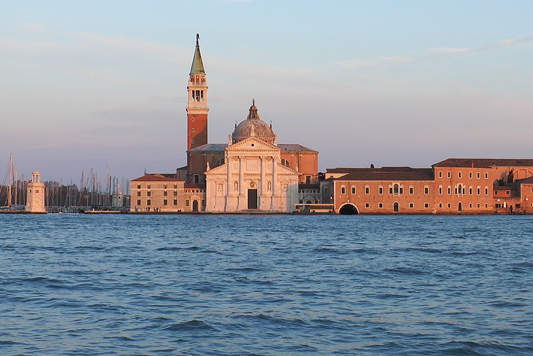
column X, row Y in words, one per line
column 265, row 285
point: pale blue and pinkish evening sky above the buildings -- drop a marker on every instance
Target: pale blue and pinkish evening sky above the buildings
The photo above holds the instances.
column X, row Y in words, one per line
column 102, row 85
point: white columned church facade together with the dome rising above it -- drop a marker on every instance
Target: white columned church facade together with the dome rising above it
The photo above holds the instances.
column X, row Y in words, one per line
column 252, row 177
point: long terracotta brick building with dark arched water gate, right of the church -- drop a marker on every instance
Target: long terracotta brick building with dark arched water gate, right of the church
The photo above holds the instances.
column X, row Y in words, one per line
column 452, row 186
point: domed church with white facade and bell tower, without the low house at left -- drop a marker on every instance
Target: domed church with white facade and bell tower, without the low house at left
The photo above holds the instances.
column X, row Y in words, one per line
column 251, row 172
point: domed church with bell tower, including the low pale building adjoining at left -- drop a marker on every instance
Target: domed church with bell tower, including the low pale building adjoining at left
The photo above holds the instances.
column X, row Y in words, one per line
column 249, row 173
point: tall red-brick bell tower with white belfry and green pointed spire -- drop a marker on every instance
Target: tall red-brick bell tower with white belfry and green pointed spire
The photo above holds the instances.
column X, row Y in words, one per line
column 197, row 103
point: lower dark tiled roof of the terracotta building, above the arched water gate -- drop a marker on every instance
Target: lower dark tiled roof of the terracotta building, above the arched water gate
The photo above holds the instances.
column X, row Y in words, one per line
column 389, row 174
